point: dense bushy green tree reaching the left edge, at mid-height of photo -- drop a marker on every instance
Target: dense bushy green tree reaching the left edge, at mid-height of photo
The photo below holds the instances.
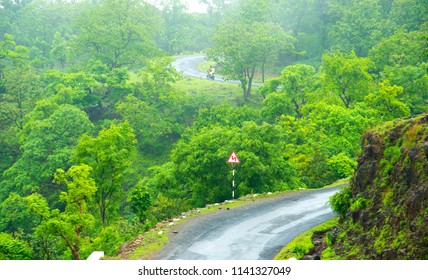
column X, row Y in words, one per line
column 47, row 146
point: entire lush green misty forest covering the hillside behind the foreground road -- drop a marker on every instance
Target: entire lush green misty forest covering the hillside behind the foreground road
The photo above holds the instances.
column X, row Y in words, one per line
column 100, row 139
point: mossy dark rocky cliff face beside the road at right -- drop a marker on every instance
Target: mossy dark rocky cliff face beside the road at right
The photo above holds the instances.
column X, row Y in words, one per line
column 387, row 216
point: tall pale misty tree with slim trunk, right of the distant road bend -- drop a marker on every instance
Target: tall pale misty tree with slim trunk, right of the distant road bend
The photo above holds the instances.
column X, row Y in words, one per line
column 242, row 48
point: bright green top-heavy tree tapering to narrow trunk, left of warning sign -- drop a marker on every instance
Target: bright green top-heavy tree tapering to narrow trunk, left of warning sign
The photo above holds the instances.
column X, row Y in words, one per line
column 109, row 154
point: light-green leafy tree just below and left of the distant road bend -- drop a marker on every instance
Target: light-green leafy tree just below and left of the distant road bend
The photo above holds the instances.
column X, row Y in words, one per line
column 156, row 109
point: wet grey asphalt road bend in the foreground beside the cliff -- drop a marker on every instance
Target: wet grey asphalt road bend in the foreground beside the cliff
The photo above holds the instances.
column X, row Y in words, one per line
column 253, row 232
